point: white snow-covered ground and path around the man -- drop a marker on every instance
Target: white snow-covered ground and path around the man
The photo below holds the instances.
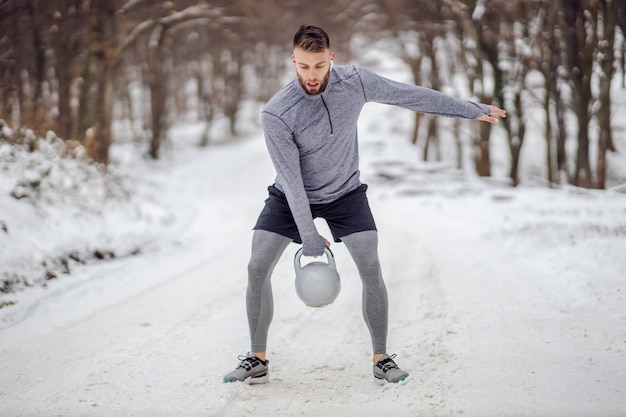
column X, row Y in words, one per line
column 503, row 302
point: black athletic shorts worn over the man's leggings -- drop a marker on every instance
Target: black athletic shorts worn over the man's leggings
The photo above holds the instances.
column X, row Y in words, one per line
column 348, row 214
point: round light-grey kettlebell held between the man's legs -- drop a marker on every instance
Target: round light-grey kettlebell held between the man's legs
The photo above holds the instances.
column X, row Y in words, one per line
column 317, row 283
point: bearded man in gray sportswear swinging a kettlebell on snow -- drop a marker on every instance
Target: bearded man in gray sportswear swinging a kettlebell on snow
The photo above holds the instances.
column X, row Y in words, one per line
column 310, row 129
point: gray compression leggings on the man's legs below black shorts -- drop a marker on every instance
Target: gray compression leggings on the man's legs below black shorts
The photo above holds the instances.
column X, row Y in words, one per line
column 267, row 248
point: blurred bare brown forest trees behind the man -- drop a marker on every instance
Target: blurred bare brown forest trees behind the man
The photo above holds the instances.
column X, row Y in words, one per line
column 74, row 67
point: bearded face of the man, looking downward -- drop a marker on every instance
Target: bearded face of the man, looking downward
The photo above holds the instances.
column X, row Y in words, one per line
column 313, row 69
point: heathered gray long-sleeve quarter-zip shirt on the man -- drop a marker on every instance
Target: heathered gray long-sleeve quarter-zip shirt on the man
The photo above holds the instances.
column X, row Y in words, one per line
column 313, row 142
